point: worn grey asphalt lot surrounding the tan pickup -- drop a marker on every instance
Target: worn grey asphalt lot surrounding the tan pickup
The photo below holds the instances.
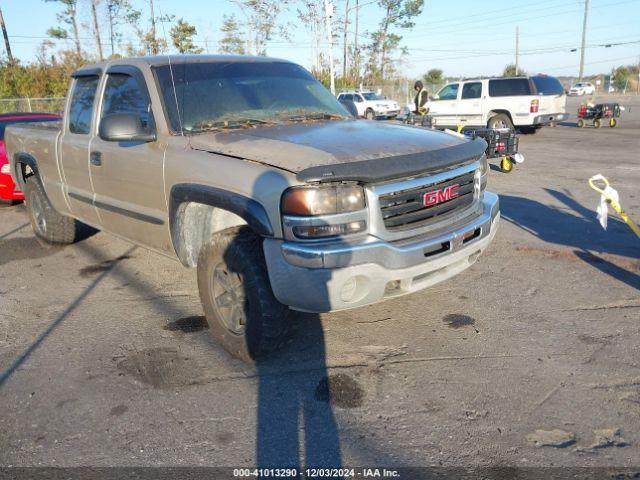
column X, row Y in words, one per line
column 105, row 358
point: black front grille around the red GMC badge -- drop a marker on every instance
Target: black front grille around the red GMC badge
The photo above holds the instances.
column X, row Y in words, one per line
column 406, row 208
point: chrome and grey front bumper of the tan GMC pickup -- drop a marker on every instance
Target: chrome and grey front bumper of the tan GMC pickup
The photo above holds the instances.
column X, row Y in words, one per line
column 323, row 278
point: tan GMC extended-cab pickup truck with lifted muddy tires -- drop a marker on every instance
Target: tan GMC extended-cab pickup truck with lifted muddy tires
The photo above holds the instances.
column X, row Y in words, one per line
column 249, row 170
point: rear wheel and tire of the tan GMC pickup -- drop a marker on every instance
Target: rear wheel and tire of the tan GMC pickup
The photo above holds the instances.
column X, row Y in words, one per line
column 47, row 224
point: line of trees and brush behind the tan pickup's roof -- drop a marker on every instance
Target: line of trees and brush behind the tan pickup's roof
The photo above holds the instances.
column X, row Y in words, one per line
column 87, row 31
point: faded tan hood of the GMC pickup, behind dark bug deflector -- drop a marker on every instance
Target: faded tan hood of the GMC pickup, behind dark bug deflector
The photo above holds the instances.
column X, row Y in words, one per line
column 299, row 146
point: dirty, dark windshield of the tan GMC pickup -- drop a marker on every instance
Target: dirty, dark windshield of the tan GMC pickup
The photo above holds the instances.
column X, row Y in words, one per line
column 217, row 95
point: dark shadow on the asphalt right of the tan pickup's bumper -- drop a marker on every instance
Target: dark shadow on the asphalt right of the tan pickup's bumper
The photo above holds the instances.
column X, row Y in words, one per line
column 577, row 227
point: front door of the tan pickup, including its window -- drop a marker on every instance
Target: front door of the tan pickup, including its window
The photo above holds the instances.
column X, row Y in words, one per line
column 127, row 176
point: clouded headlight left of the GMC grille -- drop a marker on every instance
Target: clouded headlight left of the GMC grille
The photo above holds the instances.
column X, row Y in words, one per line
column 329, row 200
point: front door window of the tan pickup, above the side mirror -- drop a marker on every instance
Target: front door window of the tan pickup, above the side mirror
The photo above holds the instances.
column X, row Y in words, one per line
column 122, row 94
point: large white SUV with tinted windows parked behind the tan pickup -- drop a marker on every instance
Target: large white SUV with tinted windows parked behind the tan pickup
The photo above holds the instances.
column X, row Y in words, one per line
column 523, row 102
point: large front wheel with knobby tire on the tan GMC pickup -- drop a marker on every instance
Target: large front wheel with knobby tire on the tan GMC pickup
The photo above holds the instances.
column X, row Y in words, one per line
column 244, row 316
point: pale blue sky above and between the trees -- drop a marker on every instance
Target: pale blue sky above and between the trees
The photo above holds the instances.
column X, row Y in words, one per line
column 463, row 37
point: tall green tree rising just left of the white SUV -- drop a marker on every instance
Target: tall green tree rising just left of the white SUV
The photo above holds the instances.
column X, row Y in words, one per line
column 397, row 15
